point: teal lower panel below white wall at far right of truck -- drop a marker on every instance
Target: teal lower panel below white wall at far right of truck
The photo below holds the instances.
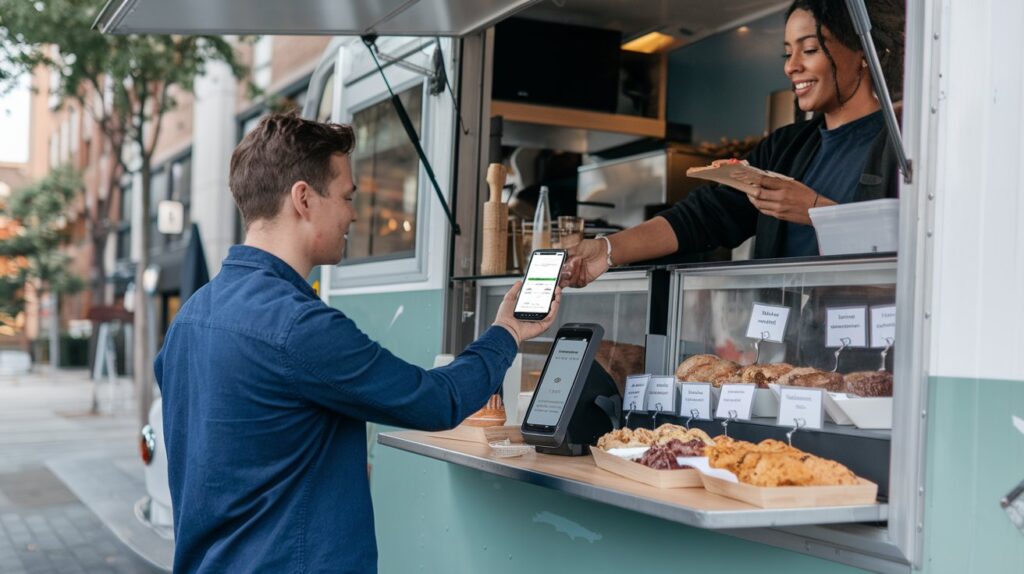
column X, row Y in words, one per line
column 975, row 457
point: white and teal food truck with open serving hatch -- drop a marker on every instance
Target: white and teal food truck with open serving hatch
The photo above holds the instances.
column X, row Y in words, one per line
column 546, row 90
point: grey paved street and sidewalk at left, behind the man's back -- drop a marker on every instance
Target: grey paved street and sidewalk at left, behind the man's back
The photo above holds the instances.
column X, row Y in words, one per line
column 54, row 454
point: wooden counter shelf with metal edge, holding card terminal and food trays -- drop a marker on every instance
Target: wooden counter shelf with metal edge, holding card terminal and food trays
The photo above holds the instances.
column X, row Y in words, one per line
column 580, row 477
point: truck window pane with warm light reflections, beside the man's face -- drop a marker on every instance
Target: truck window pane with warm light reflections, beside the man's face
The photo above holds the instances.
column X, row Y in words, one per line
column 387, row 170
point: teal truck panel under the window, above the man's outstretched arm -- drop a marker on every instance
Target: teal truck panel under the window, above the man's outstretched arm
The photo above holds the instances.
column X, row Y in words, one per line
column 408, row 324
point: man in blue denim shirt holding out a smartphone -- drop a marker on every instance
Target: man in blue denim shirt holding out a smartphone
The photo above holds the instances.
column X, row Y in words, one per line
column 267, row 390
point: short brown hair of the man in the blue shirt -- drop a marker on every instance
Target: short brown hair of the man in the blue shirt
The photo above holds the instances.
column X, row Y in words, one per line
column 282, row 150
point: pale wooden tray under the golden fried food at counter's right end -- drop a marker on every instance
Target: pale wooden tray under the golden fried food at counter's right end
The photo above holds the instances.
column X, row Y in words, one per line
column 794, row 497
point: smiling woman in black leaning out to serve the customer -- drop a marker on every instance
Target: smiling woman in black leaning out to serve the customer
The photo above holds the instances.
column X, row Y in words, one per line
column 841, row 156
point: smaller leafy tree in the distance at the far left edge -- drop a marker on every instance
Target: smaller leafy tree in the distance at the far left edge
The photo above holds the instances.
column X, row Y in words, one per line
column 38, row 213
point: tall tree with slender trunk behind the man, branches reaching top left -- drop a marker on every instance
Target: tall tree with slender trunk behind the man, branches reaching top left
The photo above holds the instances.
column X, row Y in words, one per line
column 126, row 84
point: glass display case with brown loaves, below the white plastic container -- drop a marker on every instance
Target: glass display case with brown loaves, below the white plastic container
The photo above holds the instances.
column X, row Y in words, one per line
column 714, row 311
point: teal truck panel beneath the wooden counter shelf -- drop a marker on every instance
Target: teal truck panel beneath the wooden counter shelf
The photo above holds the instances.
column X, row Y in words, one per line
column 435, row 517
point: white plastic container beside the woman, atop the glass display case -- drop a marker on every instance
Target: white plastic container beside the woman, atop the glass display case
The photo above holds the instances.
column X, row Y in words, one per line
column 860, row 228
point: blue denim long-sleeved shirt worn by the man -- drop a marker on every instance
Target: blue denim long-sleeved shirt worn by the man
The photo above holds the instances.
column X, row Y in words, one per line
column 267, row 393
